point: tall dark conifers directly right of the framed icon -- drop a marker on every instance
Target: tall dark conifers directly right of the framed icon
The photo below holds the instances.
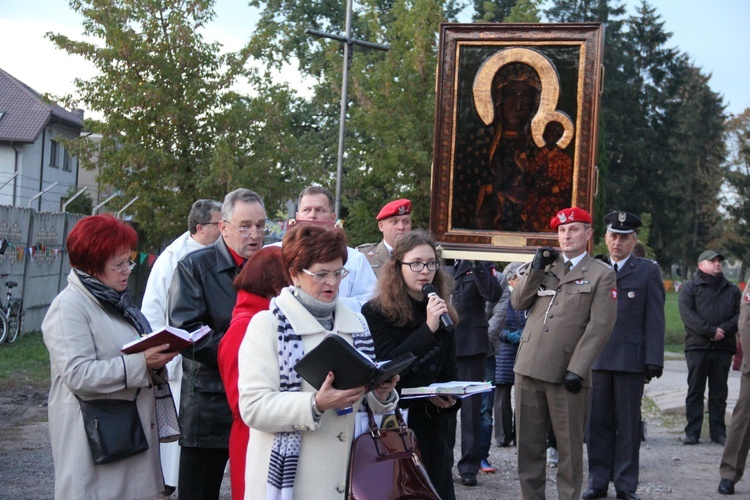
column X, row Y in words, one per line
column 660, row 132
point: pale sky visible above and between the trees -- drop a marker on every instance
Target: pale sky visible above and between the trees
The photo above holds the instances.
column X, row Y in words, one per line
column 714, row 34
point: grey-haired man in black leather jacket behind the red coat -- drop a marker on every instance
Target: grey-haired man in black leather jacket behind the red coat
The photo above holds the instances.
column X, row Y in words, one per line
column 202, row 294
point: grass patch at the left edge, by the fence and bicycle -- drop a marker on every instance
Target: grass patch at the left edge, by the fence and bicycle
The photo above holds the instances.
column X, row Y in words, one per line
column 24, row 362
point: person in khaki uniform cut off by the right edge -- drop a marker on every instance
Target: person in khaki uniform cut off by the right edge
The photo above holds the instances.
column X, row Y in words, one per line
column 734, row 458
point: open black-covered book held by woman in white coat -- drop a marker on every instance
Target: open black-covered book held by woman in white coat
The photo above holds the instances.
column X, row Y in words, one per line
column 350, row 367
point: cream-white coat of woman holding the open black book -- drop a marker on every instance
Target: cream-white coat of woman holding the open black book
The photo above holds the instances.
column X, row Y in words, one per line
column 324, row 454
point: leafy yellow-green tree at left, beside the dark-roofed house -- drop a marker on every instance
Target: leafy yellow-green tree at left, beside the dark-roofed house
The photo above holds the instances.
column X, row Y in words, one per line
column 158, row 91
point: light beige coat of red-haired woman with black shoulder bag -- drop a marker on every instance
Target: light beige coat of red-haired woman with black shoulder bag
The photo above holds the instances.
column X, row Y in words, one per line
column 84, row 342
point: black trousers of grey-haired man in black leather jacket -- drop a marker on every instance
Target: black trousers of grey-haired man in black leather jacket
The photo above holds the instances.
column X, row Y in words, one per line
column 201, row 472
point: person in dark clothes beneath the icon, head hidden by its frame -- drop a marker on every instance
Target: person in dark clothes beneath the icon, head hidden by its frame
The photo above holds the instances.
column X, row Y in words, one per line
column 476, row 284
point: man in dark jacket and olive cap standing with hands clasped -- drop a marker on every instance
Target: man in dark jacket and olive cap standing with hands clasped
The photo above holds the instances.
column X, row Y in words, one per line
column 710, row 309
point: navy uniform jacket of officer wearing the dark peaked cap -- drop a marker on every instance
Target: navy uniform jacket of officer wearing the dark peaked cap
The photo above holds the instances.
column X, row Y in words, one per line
column 638, row 336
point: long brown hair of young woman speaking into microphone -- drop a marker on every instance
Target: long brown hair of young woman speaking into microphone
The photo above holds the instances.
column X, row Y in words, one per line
column 391, row 296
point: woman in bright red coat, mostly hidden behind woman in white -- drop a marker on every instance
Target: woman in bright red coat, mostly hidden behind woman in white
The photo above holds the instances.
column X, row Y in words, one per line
column 261, row 279
